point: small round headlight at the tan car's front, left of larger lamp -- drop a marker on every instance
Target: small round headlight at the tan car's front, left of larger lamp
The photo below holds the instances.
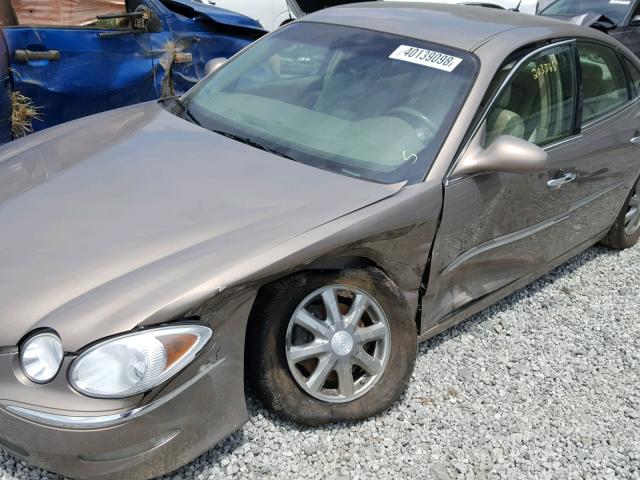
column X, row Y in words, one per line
column 41, row 356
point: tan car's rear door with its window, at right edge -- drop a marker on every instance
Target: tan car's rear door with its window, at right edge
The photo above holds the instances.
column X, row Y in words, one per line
column 607, row 161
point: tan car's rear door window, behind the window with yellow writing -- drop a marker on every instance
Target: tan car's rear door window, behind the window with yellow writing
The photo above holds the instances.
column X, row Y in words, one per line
column 604, row 85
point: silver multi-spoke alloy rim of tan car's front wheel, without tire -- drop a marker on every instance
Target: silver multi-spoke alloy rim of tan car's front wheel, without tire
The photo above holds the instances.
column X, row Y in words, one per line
column 338, row 343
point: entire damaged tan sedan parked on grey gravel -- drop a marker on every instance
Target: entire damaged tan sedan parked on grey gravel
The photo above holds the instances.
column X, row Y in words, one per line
column 347, row 186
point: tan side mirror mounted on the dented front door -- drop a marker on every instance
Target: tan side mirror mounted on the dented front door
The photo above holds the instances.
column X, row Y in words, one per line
column 504, row 154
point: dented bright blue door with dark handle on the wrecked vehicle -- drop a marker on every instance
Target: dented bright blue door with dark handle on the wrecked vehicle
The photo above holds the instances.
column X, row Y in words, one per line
column 69, row 72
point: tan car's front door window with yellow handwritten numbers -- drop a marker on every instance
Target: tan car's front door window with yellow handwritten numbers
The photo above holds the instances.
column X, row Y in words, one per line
column 538, row 103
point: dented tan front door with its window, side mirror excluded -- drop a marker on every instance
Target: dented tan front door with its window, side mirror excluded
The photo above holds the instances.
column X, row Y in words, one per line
column 498, row 228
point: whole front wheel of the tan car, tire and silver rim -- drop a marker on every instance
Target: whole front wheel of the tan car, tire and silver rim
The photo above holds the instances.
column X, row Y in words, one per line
column 331, row 346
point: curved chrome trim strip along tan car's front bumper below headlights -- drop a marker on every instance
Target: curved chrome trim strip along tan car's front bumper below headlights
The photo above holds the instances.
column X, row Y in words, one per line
column 103, row 421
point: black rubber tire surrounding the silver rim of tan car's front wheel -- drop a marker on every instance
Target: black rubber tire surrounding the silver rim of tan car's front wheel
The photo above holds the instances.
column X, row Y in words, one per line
column 283, row 393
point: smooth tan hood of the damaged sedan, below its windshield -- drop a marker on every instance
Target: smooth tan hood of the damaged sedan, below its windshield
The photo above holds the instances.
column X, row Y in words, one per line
column 135, row 206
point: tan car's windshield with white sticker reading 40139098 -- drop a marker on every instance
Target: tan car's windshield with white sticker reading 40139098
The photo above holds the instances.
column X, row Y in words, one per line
column 357, row 102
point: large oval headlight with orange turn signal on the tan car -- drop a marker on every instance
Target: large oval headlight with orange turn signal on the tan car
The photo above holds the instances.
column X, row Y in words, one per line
column 134, row 363
